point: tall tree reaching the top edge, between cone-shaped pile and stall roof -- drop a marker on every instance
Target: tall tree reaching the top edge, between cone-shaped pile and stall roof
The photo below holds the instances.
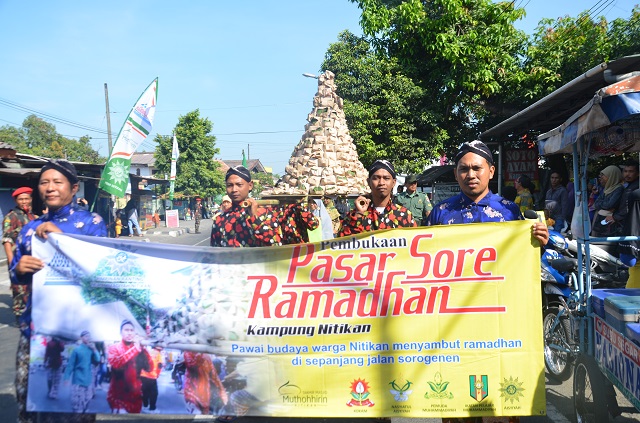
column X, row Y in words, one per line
column 432, row 65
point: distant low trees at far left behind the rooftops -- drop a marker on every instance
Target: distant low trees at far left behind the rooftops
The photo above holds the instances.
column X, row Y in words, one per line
column 40, row 138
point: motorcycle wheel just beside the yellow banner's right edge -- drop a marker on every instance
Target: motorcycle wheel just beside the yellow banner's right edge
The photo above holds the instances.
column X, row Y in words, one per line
column 557, row 362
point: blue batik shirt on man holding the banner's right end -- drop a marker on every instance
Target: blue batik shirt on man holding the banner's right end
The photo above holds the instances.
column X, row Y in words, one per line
column 461, row 209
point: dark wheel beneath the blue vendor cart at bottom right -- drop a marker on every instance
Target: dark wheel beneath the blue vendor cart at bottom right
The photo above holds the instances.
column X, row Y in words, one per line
column 589, row 395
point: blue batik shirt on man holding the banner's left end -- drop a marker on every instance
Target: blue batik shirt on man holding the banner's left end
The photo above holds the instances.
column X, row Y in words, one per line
column 70, row 220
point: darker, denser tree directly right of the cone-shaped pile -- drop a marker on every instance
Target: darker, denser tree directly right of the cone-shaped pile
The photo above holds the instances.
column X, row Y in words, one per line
column 384, row 108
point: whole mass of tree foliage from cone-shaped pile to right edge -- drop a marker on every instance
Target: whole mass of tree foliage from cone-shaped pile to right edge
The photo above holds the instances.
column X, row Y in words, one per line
column 428, row 75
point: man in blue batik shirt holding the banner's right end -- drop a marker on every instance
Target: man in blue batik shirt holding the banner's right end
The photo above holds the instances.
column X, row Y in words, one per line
column 476, row 203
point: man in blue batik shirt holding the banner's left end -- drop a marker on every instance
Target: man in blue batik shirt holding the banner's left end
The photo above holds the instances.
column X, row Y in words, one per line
column 57, row 187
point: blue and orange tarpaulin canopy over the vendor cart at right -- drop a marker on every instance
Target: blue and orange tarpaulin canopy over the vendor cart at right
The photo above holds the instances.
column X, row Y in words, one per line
column 610, row 122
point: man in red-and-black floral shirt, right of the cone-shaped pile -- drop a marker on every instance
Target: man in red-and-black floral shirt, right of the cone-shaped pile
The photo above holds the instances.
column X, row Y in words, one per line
column 377, row 212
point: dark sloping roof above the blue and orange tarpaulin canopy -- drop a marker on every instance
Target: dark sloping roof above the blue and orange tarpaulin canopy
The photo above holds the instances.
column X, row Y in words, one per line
column 552, row 110
